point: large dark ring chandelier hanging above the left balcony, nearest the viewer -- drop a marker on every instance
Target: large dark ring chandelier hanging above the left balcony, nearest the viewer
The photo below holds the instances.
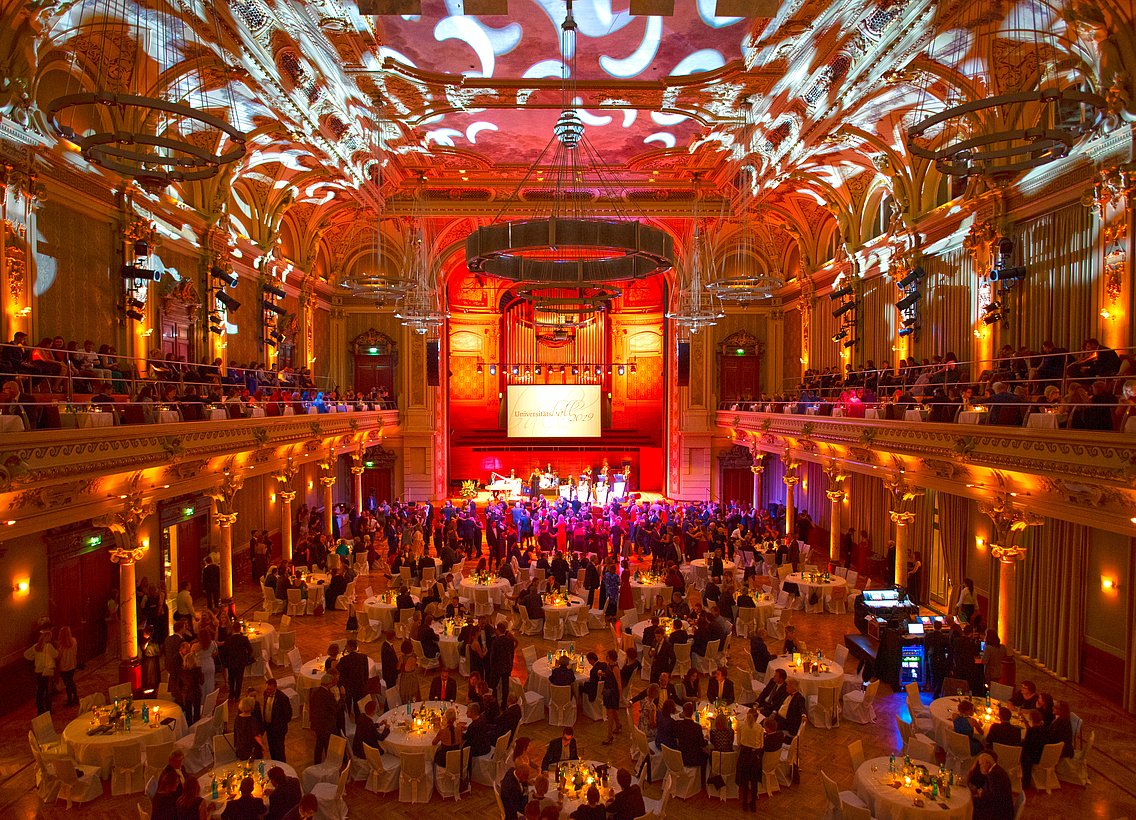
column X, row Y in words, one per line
column 148, row 97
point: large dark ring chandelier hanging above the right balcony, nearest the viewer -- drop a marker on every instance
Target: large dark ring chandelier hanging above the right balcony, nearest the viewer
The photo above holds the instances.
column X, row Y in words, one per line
column 1000, row 123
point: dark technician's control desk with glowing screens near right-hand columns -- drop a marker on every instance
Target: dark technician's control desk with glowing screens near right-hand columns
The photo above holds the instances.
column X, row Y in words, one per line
column 890, row 642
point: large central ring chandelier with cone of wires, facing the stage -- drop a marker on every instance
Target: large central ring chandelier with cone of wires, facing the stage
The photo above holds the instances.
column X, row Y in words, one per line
column 567, row 248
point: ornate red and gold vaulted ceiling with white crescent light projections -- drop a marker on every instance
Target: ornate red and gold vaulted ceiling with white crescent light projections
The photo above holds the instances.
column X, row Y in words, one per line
column 805, row 111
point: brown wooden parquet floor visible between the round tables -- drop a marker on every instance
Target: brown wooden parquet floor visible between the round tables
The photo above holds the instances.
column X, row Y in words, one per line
column 1113, row 793
